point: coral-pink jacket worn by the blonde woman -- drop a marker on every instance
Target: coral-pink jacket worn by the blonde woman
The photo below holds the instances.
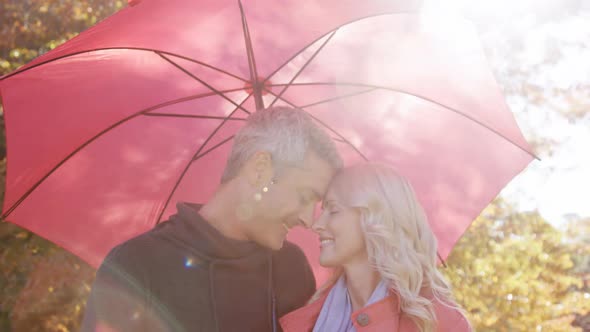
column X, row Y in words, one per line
column 384, row 315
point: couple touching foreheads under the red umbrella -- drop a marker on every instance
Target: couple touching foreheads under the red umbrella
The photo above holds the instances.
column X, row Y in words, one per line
column 225, row 265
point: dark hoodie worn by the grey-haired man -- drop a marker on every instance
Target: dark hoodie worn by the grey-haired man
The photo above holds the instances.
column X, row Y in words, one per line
column 184, row 275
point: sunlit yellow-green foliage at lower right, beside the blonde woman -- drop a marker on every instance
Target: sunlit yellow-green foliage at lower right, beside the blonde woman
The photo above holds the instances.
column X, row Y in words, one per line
column 514, row 272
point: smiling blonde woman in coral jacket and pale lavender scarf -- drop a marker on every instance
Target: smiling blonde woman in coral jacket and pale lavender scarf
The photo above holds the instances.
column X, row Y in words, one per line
column 375, row 235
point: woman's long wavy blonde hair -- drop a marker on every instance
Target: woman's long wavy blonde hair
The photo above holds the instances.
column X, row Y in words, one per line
column 400, row 243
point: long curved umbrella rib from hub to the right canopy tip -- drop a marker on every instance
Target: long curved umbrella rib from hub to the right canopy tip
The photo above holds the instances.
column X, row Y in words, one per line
column 419, row 97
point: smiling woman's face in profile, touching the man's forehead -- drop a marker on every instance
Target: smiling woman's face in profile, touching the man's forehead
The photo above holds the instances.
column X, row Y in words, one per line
column 341, row 237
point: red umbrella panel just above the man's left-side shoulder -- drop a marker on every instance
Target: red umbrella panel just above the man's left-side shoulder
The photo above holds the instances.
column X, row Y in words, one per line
column 116, row 187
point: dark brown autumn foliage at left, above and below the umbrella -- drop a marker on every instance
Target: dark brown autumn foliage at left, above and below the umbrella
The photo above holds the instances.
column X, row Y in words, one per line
column 42, row 287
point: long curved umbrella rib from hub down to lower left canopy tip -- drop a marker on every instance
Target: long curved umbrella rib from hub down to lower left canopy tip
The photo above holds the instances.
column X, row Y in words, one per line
column 95, row 137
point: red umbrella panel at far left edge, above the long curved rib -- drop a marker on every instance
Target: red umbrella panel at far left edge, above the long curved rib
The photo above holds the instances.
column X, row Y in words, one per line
column 60, row 106
